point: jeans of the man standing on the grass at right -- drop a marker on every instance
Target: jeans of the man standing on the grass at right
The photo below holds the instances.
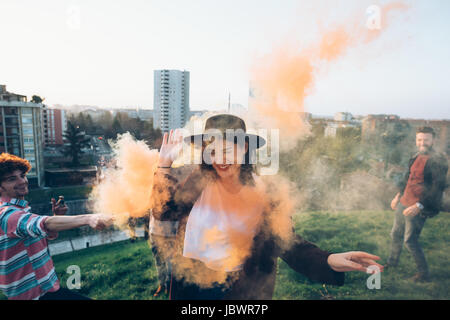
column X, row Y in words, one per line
column 407, row 230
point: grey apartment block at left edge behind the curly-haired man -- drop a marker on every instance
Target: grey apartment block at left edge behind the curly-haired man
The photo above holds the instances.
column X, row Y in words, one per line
column 21, row 132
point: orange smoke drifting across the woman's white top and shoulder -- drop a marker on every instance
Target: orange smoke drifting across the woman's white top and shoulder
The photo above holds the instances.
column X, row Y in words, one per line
column 270, row 201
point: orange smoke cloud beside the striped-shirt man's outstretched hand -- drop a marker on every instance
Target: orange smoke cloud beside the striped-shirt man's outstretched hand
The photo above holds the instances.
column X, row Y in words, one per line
column 126, row 190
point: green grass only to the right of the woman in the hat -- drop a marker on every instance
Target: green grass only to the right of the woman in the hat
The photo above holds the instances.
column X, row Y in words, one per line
column 369, row 231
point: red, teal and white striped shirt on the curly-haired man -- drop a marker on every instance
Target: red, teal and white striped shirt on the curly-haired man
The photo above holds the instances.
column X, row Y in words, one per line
column 26, row 268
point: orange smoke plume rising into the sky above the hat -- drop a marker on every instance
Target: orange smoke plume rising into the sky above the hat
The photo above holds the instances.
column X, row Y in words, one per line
column 283, row 79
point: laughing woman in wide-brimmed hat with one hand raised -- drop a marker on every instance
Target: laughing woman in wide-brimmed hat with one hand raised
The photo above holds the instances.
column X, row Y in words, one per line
column 227, row 229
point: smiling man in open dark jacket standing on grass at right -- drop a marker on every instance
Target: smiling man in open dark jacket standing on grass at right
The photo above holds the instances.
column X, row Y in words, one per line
column 419, row 198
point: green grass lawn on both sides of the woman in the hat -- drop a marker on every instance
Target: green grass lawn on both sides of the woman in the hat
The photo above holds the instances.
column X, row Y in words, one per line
column 126, row 270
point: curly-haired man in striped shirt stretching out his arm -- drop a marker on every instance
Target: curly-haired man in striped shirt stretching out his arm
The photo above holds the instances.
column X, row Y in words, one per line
column 26, row 268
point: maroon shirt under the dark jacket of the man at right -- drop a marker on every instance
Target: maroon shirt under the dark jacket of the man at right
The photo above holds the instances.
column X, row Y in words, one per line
column 414, row 187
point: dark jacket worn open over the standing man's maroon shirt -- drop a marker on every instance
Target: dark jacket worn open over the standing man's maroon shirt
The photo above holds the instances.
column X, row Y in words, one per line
column 435, row 182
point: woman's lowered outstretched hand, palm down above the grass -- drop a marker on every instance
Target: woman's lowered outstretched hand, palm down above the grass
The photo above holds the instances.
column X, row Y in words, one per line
column 353, row 261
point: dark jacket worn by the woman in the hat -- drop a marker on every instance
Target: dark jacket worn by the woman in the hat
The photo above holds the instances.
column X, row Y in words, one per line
column 257, row 278
